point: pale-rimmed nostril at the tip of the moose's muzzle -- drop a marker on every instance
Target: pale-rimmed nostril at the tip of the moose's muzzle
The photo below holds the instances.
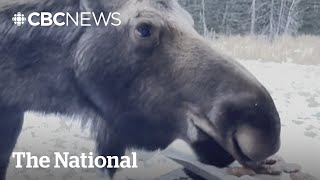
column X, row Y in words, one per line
column 254, row 144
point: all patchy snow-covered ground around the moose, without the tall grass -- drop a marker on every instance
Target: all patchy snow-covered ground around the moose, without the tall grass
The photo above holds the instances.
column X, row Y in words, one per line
column 296, row 91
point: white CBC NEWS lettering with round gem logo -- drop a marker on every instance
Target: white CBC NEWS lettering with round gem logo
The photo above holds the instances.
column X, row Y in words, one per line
column 66, row 19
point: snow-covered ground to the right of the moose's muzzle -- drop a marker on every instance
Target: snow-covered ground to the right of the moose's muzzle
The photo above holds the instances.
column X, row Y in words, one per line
column 296, row 91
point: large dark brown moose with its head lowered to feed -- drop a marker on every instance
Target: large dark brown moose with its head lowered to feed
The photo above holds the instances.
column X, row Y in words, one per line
column 142, row 84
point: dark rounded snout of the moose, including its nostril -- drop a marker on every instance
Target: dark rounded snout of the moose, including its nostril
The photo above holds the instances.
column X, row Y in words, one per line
column 253, row 126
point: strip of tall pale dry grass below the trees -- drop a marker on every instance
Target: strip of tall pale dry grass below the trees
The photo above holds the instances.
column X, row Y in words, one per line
column 301, row 49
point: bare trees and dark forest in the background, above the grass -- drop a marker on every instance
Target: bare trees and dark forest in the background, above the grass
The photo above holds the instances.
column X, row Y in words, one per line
column 255, row 17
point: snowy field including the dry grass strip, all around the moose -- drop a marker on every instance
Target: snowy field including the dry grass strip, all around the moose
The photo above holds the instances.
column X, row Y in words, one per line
column 290, row 72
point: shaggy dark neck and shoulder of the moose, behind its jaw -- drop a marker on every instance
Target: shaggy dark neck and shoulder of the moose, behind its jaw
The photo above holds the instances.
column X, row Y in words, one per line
column 41, row 59
